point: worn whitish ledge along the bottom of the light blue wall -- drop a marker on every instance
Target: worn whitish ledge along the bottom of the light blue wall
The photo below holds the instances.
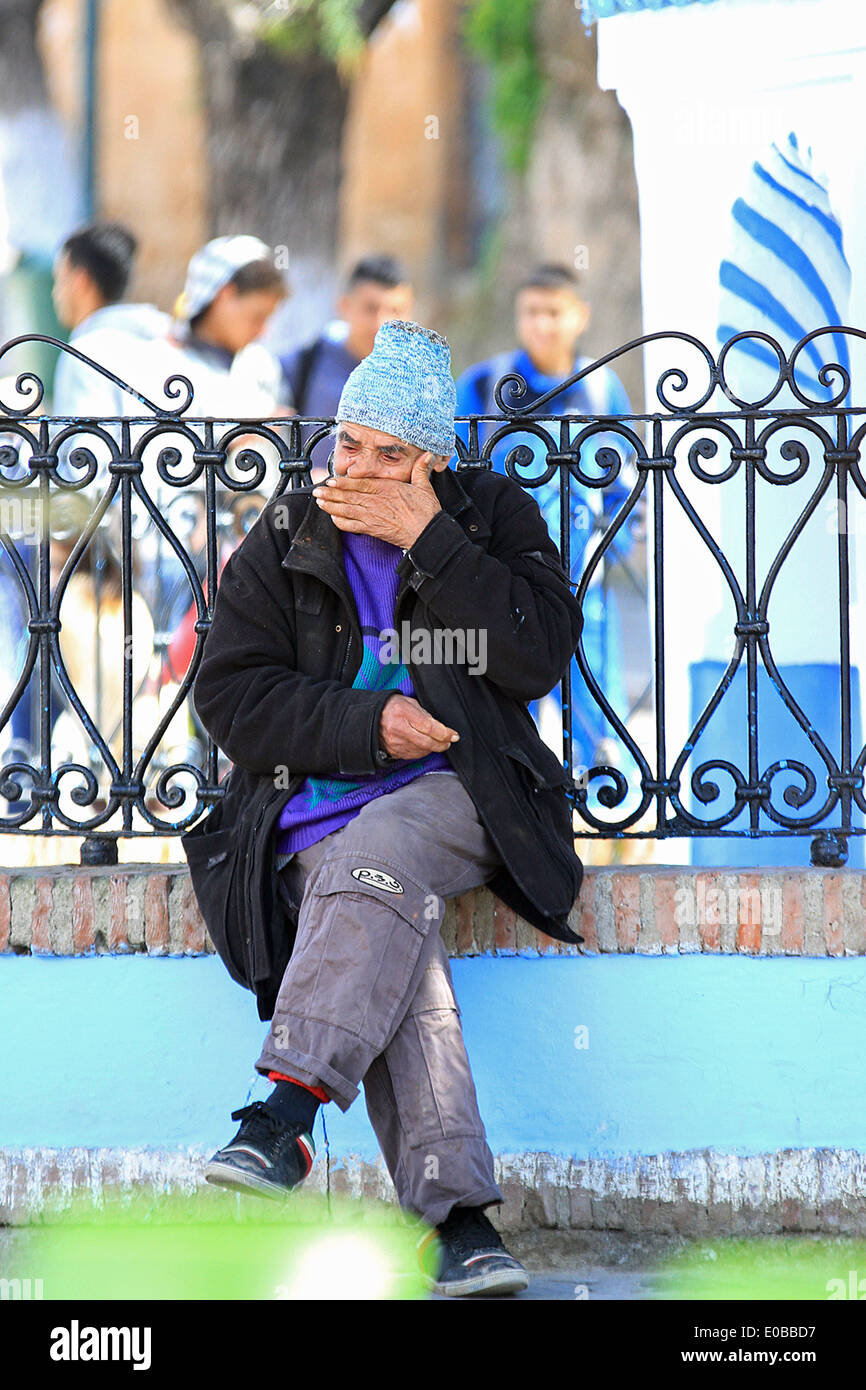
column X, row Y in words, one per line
column 667, row 1195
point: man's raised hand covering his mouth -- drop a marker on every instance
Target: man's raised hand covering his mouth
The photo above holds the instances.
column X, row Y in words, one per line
column 391, row 511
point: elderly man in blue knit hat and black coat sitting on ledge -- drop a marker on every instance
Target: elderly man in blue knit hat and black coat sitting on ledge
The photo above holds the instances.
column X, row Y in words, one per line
column 372, row 655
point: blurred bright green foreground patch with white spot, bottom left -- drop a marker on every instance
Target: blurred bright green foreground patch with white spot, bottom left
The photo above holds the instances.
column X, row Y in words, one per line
column 223, row 1246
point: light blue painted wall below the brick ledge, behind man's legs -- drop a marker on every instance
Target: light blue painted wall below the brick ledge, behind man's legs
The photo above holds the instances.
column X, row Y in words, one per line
column 685, row 1053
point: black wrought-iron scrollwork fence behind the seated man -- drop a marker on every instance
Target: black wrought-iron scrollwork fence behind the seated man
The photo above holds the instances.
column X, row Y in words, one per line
column 696, row 426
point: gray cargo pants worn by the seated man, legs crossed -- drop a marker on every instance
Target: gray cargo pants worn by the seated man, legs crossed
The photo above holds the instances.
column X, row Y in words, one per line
column 368, row 995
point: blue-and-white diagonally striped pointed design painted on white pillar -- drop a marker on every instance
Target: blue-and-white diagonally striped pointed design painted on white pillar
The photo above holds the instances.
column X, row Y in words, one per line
column 787, row 275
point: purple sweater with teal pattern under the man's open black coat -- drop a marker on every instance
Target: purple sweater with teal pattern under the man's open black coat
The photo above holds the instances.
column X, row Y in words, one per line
column 325, row 804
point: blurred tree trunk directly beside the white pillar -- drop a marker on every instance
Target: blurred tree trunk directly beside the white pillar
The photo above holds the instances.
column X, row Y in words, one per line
column 576, row 205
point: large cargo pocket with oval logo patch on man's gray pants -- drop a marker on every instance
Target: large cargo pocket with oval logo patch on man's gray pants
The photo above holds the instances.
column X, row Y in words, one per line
column 362, row 942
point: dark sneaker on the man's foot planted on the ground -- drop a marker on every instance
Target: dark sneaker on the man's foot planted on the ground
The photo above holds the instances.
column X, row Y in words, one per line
column 465, row 1256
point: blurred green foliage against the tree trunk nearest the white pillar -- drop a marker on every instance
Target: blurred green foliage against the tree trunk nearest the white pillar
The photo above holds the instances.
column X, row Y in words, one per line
column 504, row 37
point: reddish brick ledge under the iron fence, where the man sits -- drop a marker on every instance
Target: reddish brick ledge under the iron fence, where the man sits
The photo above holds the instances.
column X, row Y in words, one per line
column 70, row 911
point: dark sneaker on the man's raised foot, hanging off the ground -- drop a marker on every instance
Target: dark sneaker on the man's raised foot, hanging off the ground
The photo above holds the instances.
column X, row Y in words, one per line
column 266, row 1157
